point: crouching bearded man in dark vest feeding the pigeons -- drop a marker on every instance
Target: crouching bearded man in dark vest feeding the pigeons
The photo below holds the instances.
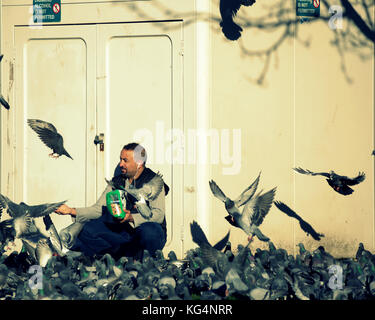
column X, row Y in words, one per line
column 102, row 233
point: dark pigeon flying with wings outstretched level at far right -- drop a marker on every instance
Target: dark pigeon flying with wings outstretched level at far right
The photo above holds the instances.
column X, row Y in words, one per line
column 338, row 183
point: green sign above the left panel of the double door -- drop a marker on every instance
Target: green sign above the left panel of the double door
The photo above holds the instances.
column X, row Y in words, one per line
column 46, row 11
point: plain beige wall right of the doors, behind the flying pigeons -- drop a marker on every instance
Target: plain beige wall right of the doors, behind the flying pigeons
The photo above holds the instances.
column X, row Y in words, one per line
column 307, row 115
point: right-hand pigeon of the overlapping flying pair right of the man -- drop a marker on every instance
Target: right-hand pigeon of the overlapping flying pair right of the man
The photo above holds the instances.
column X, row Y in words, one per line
column 254, row 213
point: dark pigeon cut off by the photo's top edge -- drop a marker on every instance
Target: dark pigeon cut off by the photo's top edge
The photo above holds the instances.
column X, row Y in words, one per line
column 228, row 10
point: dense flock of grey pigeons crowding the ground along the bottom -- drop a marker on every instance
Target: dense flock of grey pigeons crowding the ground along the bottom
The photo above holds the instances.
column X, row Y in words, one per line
column 206, row 273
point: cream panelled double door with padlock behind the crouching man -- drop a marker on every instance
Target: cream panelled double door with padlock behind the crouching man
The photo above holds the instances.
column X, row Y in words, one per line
column 102, row 86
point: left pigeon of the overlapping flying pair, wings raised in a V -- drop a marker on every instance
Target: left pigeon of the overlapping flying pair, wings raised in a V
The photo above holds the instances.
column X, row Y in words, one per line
column 232, row 206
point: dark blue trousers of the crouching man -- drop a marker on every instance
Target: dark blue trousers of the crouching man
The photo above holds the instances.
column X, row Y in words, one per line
column 106, row 235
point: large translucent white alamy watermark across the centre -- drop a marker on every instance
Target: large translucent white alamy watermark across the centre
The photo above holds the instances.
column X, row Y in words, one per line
column 192, row 146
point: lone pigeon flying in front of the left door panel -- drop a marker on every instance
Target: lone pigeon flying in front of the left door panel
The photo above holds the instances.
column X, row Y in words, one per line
column 50, row 137
